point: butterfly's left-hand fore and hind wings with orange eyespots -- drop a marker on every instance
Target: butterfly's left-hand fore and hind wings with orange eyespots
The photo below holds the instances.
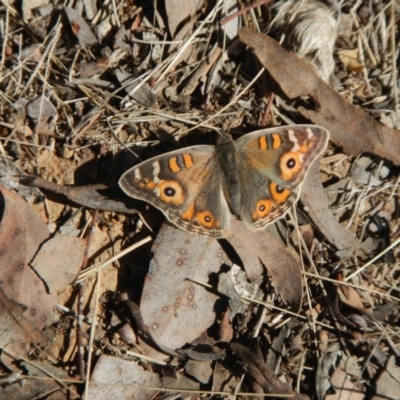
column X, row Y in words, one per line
column 182, row 184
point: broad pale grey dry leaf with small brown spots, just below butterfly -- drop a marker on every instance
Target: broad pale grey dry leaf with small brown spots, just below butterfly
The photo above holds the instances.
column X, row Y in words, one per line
column 175, row 309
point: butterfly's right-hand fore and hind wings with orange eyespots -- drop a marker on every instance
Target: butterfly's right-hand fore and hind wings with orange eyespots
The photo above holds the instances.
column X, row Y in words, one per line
column 274, row 162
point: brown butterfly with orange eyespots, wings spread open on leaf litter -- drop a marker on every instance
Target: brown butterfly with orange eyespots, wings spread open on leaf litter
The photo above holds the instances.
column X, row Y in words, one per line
column 256, row 177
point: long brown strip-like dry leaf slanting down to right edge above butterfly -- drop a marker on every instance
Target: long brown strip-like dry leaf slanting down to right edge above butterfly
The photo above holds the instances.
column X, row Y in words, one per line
column 349, row 126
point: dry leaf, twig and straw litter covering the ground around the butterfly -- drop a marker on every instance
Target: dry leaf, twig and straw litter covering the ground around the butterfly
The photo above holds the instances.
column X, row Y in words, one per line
column 309, row 306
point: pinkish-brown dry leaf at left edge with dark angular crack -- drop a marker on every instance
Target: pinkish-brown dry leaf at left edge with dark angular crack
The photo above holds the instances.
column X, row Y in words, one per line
column 29, row 277
